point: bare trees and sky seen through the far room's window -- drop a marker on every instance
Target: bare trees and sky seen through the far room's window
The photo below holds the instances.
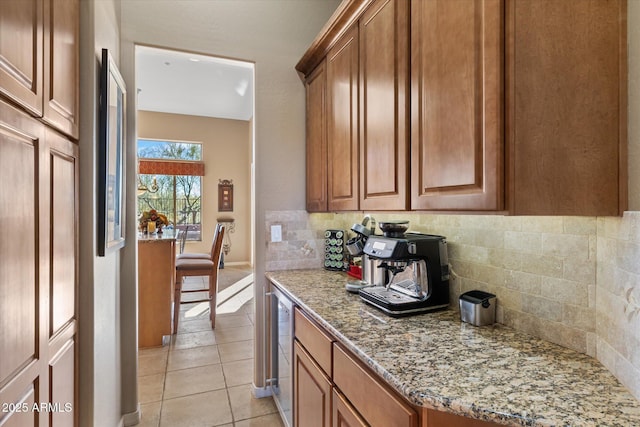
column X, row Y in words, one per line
column 175, row 195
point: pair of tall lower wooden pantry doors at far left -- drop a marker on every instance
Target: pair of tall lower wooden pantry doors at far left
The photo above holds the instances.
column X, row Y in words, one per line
column 39, row 249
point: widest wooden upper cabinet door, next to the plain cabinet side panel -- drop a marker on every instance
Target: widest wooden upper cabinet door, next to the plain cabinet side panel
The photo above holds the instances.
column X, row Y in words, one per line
column 456, row 105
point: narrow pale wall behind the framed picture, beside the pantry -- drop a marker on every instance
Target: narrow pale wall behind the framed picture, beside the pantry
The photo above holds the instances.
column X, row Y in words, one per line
column 99, row 293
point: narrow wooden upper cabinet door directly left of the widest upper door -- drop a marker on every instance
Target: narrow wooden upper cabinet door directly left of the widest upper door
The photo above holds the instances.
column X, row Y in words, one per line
column 384, row 109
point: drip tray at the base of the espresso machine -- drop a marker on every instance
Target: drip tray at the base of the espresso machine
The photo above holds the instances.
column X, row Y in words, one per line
column 395, row 303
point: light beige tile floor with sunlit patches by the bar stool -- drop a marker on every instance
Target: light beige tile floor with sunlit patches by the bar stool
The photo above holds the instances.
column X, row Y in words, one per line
column 203, row 378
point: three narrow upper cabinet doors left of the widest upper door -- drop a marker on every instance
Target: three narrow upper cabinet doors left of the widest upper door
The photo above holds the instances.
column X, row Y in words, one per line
column 365, row 76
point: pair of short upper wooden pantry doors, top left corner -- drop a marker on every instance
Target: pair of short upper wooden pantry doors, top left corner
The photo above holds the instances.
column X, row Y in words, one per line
column 39, row 44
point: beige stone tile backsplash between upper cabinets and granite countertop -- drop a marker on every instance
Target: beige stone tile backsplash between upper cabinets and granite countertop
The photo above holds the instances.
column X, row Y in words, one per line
column 574, row 281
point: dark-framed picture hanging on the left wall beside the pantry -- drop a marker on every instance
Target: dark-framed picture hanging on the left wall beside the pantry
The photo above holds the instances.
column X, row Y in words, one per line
column 111, row 144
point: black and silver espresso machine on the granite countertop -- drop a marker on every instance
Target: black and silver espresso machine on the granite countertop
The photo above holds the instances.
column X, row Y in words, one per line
column 417, row 271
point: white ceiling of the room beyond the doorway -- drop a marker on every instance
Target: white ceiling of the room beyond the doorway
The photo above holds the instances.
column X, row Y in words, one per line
column 177, row 82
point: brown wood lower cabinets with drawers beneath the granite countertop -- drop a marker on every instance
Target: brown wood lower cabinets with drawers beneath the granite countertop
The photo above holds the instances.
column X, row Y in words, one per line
column 332, row 388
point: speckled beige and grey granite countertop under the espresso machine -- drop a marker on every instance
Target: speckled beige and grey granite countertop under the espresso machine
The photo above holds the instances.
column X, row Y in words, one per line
column 492, row 373
